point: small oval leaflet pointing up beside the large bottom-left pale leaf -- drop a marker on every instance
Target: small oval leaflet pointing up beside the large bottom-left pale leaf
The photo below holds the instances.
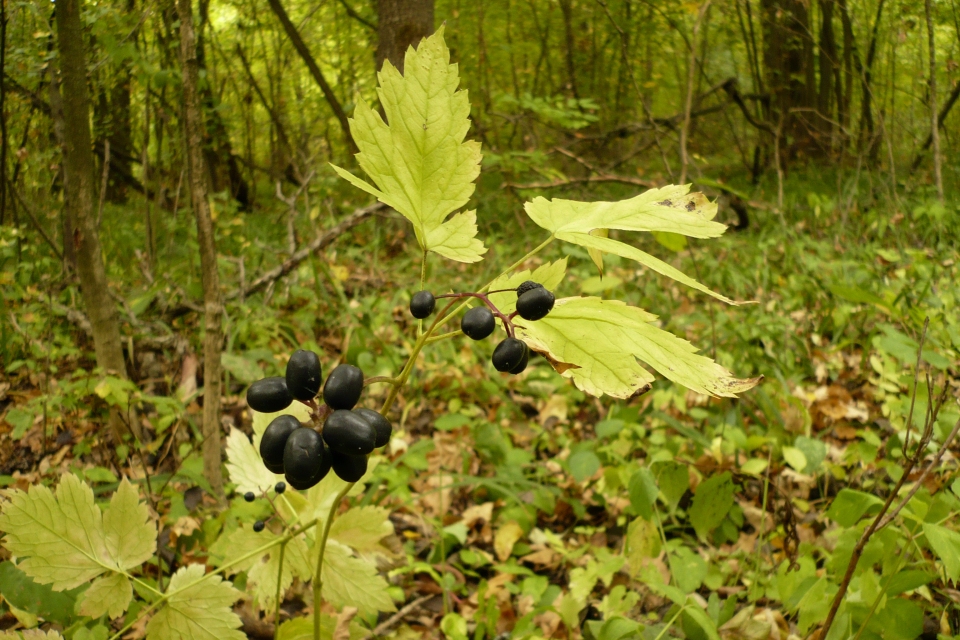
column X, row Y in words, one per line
column 130, row 535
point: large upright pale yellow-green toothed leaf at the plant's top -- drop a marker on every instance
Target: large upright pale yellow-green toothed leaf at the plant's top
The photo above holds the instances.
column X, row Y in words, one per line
column 418, row 159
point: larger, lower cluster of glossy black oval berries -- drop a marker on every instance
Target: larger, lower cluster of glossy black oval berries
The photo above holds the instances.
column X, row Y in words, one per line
column 305, row 454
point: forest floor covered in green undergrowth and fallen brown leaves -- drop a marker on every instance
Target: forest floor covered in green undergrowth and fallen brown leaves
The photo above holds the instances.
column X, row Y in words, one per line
column 542, row 492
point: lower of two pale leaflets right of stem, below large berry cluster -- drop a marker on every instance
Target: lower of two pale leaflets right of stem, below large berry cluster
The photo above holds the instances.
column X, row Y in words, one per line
column 350, row 581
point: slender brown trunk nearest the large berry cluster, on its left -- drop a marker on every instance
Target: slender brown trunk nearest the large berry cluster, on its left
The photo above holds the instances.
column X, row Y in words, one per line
column 213, row 308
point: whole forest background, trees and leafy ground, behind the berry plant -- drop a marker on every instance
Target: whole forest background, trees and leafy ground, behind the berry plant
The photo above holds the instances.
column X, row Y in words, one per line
column 171, row 230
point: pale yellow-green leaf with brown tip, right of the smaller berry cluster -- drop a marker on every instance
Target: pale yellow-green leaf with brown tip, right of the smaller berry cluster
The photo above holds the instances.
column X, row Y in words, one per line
column 599, row 343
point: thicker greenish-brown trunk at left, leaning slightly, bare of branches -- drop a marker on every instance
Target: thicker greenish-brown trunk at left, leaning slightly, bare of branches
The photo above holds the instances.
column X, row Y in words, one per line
column 79, row 187
